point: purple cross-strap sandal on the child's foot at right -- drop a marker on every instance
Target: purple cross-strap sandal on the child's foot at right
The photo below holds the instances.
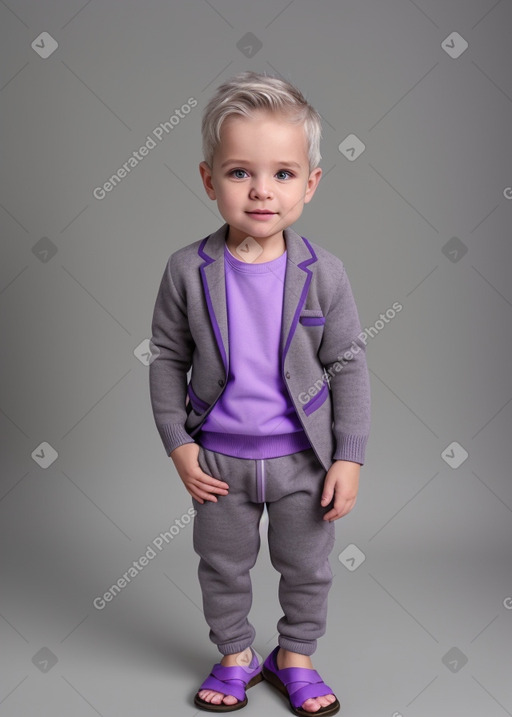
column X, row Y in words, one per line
column 284, row 681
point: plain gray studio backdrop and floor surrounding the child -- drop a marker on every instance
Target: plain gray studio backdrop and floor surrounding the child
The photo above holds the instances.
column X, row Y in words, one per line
column 78, row 281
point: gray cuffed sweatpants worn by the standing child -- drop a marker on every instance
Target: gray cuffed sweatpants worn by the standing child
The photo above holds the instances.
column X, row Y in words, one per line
column 227, row 539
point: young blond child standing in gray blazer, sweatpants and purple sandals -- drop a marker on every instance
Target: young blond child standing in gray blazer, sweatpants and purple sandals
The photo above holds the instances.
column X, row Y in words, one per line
column 276, row 408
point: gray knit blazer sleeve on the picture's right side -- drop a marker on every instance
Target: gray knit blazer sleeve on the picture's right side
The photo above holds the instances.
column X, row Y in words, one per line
column 343, row 356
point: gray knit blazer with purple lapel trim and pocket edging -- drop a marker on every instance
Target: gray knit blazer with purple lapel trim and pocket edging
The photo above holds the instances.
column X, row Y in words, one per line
column 322, row 355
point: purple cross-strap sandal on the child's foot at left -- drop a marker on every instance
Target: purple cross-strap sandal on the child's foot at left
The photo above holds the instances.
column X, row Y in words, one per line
column 230, row 681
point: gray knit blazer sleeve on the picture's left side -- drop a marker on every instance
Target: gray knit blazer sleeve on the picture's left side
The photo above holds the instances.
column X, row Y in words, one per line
column 172, row 346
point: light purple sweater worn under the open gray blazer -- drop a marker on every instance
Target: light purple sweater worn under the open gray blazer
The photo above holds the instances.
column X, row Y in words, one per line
column 254, row 417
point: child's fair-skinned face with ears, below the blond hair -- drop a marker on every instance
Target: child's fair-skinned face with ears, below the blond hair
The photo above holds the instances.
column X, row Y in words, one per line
column 261, row 163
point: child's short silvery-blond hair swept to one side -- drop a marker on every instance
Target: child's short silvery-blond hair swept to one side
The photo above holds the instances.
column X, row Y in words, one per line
column 248, row 92
